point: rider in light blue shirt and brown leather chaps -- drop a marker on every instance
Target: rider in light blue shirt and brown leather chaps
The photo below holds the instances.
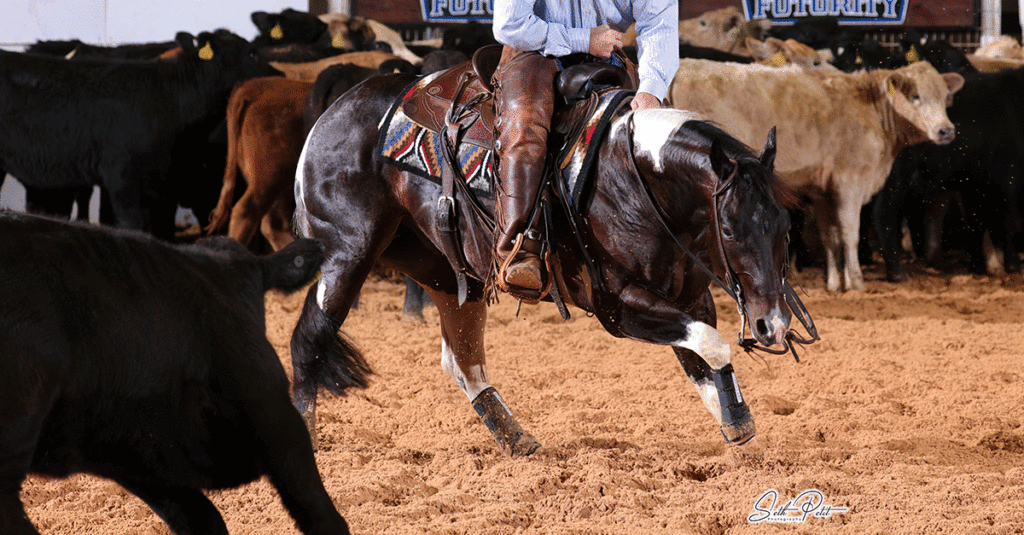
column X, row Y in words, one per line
column 536, row 35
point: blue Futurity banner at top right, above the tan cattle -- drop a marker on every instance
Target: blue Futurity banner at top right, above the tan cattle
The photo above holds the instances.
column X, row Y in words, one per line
column 848, row 12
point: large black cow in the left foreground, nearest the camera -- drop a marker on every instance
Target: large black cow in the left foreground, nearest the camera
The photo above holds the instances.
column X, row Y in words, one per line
column 148, row 363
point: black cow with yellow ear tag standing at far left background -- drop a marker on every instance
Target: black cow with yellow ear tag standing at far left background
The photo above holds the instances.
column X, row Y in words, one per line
column 126, row 127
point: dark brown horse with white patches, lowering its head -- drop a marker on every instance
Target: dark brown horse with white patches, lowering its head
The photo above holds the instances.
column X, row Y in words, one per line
column 673, row 204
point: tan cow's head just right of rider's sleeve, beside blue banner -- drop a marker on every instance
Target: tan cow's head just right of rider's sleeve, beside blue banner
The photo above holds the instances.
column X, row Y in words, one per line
column 724, row 29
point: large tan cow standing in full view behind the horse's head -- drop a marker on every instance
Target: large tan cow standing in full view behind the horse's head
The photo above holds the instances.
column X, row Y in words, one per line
column 838, row 134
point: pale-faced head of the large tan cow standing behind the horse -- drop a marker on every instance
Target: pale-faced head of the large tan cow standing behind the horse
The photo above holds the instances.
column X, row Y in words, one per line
column 920, row 95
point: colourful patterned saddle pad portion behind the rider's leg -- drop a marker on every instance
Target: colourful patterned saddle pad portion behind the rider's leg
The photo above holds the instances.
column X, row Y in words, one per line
column 413, row 148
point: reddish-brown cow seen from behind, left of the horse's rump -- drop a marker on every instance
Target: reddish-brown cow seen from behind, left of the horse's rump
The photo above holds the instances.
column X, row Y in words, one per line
column 266, row 134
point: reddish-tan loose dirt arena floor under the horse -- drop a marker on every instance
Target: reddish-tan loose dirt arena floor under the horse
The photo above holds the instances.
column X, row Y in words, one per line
column 907, row 419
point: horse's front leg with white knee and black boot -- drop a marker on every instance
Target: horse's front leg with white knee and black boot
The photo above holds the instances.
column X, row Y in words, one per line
column 701, row 349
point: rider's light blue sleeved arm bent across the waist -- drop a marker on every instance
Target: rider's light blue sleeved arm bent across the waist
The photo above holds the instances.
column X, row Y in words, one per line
column 516, row 25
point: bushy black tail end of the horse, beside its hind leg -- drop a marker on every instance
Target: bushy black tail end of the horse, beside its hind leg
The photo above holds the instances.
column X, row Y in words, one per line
column 322, row 355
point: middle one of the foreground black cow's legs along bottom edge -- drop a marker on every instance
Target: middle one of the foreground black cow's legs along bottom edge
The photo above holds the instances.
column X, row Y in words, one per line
column 186, row 511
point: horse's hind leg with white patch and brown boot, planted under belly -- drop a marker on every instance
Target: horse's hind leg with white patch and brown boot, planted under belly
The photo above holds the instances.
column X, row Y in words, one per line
column 463, row 359
